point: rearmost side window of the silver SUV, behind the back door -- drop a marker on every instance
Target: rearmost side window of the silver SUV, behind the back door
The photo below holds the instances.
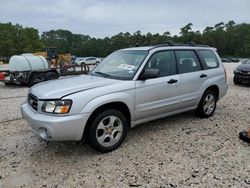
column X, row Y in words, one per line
column 209, row 58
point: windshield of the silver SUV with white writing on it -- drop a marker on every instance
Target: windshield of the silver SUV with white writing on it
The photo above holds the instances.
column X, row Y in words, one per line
column 120, row 64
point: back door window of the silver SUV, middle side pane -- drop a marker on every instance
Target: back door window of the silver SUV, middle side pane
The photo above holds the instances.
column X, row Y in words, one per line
column 187, row 61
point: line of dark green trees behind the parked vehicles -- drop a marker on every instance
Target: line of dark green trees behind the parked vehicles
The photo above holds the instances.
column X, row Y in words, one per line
column 230, row 39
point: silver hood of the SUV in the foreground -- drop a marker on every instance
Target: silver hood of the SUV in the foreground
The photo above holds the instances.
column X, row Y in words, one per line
column 56, row 89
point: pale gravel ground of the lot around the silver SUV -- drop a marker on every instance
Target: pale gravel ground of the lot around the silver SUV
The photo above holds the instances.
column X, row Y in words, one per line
column 178, row 151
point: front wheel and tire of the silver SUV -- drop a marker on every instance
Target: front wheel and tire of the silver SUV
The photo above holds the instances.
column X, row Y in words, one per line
column 109, row 125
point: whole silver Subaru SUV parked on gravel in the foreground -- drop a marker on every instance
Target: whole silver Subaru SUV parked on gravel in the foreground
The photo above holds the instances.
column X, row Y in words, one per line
column 129, row 87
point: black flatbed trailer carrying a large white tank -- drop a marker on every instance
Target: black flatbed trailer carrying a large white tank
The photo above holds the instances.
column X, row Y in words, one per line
column 29, row 69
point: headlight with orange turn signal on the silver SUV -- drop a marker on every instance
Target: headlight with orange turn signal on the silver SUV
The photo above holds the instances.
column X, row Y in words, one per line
column 57, row 107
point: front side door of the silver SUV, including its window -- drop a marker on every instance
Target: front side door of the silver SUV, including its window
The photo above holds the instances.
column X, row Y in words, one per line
column 158, row 96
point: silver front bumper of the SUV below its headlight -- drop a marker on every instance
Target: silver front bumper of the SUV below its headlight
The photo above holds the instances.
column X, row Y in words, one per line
column 58, row 128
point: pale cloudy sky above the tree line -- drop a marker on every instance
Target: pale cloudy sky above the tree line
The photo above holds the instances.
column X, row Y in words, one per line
column 101, row 18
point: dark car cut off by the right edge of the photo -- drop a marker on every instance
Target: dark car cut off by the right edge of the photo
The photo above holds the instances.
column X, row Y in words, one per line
column 242, row 73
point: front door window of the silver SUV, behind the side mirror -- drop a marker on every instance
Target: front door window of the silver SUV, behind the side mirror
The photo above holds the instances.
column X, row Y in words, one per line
column 164, row 61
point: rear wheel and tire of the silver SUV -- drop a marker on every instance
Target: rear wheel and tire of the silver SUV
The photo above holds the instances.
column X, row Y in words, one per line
column 207, row 104
